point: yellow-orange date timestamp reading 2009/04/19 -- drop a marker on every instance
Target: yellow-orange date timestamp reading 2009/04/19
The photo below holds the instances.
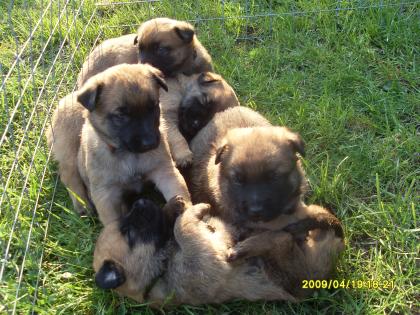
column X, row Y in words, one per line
column 347, row 284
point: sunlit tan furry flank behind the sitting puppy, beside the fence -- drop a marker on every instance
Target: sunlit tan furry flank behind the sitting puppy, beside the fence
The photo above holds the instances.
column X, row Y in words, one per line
column 63, row 135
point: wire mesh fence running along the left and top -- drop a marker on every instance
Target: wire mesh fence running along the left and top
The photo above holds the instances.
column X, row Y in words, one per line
column 42, row 47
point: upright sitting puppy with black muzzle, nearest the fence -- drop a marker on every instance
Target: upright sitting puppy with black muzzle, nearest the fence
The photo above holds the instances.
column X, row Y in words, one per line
column 121, row 143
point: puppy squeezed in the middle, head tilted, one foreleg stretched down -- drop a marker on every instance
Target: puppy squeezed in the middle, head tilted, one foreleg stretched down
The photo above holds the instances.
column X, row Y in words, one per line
column 189, row 104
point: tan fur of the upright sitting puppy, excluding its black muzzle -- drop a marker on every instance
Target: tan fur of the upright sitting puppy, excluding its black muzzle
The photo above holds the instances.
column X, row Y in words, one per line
column 105, row 173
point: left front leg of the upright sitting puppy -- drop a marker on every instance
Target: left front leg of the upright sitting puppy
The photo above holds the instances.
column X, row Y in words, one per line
column 108, row 203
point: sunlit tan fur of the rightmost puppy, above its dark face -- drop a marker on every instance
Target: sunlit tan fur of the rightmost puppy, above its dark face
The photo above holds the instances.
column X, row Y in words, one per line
column 258, row 141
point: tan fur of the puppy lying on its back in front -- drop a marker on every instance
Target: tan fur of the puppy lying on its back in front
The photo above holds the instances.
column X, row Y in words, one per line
column 197, row 271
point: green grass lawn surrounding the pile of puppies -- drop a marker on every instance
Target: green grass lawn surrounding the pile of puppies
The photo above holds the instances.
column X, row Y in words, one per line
column 347, row 81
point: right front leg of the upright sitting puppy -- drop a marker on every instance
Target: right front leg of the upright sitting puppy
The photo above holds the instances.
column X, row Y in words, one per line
column 170, row 182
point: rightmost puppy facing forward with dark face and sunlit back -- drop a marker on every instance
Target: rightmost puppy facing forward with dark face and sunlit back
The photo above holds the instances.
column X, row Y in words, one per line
column 246, row 168
